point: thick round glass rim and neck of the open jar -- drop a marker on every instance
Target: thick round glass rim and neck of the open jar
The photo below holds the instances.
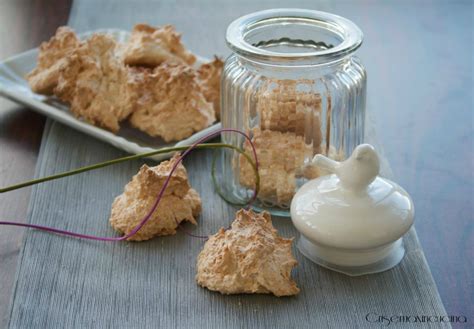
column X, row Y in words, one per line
column 293, row 38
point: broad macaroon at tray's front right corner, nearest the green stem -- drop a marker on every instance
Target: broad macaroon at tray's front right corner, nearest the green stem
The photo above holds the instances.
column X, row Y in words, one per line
column 171, row 103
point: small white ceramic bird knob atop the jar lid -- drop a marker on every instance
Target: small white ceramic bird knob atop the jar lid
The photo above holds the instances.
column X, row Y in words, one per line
column 358, row 171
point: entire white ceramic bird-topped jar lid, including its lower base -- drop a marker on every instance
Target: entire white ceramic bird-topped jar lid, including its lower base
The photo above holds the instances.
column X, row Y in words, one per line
column 352, row 221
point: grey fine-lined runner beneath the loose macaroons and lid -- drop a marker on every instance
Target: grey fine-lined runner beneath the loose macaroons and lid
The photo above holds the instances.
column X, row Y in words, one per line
column 69, row 283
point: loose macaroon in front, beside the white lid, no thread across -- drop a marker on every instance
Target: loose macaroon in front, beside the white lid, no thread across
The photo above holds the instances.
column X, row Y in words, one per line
column 250, row 257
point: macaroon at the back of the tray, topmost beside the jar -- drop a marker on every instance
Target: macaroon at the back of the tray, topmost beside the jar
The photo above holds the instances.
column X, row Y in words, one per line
column 150, row 46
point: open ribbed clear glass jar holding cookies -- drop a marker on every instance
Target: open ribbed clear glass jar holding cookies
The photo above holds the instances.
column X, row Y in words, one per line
column 294, row 85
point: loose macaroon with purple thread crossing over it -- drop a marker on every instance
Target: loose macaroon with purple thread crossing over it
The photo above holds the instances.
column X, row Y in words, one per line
column 179, row 202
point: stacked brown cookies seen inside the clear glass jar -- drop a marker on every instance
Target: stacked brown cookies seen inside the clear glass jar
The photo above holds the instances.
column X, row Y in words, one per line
column 287, row 136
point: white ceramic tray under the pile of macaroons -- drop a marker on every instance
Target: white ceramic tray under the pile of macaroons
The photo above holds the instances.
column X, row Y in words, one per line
column 14, row 86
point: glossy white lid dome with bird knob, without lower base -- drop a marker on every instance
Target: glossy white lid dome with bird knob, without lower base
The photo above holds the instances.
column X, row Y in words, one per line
column 353, row 208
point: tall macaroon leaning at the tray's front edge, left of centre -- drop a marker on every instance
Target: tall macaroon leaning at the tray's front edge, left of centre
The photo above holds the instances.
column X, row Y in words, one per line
column 96, row 84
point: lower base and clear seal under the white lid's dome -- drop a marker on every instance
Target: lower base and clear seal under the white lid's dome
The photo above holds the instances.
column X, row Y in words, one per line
column 354, row 263
